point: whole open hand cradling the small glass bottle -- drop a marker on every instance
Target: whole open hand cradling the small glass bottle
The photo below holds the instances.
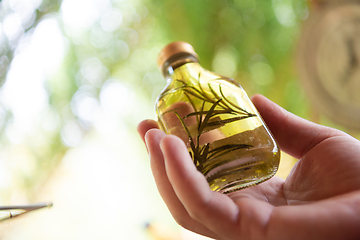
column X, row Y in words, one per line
column 320, row 199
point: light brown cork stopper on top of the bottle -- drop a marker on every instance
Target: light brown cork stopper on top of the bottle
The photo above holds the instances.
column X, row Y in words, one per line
column 172, row 49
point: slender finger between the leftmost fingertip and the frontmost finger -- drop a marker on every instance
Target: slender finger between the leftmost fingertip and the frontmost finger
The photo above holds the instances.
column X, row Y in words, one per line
column 177, row 210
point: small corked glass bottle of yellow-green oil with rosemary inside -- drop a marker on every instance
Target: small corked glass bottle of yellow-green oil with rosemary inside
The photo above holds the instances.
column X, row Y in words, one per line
column 225, row 135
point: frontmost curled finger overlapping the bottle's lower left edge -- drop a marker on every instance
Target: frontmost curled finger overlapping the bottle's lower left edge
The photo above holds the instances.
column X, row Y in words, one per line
column 214, row 210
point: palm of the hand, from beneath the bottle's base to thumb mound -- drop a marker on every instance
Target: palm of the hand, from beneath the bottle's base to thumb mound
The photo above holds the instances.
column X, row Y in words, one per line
column 323, row 172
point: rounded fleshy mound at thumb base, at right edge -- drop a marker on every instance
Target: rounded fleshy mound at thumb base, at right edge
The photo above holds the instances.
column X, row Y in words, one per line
column 327, row 170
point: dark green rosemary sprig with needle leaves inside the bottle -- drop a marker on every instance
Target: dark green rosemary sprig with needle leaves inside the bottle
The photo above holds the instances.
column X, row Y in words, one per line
column 208, row 120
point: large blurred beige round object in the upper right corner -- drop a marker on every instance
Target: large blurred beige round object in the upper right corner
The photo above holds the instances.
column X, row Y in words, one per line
column 329, row 60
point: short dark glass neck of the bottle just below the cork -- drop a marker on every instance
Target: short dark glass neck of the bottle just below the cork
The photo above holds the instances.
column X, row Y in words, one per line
column 177, row 61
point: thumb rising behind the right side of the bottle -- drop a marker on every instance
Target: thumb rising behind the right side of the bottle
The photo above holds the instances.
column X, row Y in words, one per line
column 295, row 135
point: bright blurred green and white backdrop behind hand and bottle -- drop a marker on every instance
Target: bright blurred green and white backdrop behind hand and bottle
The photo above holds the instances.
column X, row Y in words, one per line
column 76, row 77
